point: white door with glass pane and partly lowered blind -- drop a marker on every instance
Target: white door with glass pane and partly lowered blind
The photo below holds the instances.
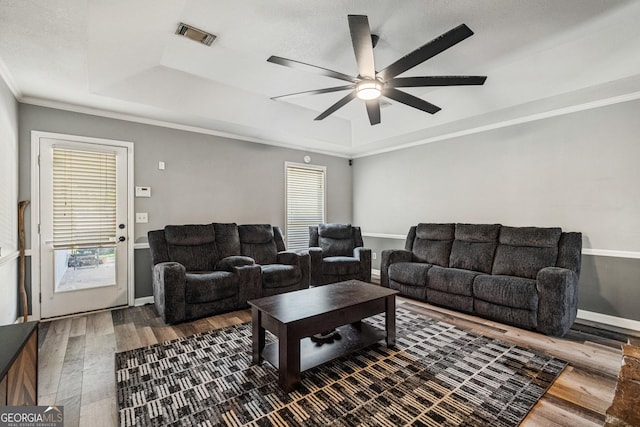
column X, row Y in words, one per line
column 83, row 226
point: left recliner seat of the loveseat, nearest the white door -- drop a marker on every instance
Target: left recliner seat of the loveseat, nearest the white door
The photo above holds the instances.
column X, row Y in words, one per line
column 198, row 271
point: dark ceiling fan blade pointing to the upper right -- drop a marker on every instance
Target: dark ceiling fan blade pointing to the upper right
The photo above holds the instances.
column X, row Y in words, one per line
column 429, row 50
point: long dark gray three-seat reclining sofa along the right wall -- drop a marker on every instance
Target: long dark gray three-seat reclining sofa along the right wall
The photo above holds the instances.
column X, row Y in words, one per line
column 523, row 276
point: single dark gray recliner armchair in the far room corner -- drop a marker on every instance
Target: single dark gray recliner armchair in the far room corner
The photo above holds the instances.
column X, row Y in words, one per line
column 337, row 254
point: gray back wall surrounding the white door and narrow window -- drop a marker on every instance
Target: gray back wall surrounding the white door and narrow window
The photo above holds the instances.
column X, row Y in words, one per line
column 207, row 178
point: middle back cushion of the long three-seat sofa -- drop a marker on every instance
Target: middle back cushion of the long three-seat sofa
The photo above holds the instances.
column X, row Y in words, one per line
column 474, row 247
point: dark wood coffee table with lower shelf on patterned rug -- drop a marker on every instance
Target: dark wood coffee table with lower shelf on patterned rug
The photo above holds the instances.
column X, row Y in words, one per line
column 294, row 316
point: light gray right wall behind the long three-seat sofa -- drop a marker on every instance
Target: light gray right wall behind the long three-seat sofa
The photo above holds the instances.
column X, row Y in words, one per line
column 579, row 171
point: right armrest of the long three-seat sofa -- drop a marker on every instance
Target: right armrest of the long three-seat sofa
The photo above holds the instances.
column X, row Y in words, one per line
column 557, row 300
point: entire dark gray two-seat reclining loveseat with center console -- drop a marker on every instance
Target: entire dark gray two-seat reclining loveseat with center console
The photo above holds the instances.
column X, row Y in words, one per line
column 201, row 270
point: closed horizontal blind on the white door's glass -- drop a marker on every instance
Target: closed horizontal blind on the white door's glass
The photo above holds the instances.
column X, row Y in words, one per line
column 84, row 198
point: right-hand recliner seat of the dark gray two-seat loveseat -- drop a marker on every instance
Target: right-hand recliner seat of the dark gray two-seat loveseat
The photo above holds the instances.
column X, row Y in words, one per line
column 282, row 271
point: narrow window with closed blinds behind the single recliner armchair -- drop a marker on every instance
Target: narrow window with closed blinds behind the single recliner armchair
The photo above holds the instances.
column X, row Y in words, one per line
column 305, row 199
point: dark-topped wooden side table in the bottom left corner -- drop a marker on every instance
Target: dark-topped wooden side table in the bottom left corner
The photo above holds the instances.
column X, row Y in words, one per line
column 19, row 364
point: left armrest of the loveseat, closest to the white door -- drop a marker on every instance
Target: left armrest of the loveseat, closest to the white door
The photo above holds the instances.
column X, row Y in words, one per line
column 169, row 280
